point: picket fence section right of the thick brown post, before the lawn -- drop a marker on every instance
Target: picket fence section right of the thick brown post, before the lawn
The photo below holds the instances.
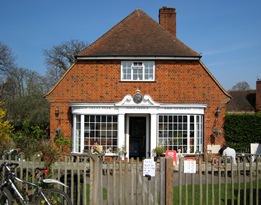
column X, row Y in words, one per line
column 217, row 181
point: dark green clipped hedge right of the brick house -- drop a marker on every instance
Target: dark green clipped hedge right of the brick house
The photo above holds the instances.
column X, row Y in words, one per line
column 242, row 129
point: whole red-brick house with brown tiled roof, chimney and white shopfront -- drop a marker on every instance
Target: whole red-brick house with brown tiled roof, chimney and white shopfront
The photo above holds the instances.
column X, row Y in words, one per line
column 140, row 87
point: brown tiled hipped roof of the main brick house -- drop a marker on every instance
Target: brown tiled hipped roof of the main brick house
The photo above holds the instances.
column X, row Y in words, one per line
column 138, row 35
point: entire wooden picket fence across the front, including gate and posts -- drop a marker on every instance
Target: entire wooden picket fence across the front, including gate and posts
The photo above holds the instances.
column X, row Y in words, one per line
column 91, row 180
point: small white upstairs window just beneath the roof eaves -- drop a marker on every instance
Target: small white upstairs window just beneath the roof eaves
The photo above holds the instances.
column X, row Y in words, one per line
column 137, row 71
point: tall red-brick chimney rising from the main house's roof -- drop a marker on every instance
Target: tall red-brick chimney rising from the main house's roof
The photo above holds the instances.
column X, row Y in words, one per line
column 167, row 19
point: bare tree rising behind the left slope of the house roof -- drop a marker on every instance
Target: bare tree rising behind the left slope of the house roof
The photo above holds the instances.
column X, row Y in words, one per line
column 59, row 58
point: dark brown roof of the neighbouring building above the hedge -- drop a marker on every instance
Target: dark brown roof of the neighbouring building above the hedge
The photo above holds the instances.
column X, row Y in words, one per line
column 242, row 101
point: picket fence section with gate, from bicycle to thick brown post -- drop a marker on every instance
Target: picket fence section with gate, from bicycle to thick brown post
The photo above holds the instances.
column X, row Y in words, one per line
column 90, row 180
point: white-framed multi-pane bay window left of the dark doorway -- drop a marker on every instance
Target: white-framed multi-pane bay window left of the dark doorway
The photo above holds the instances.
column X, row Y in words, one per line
column 89, row 128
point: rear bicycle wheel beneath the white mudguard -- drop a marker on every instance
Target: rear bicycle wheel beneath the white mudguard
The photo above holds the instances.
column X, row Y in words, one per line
column 54, row 197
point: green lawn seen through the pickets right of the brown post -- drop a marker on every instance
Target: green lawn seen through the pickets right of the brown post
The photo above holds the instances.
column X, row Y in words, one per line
column 223, row 194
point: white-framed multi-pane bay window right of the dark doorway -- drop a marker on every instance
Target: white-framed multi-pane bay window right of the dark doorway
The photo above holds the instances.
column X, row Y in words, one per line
column 184, row 132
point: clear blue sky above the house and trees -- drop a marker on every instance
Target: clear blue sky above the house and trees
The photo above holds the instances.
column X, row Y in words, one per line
column 226, row 32
